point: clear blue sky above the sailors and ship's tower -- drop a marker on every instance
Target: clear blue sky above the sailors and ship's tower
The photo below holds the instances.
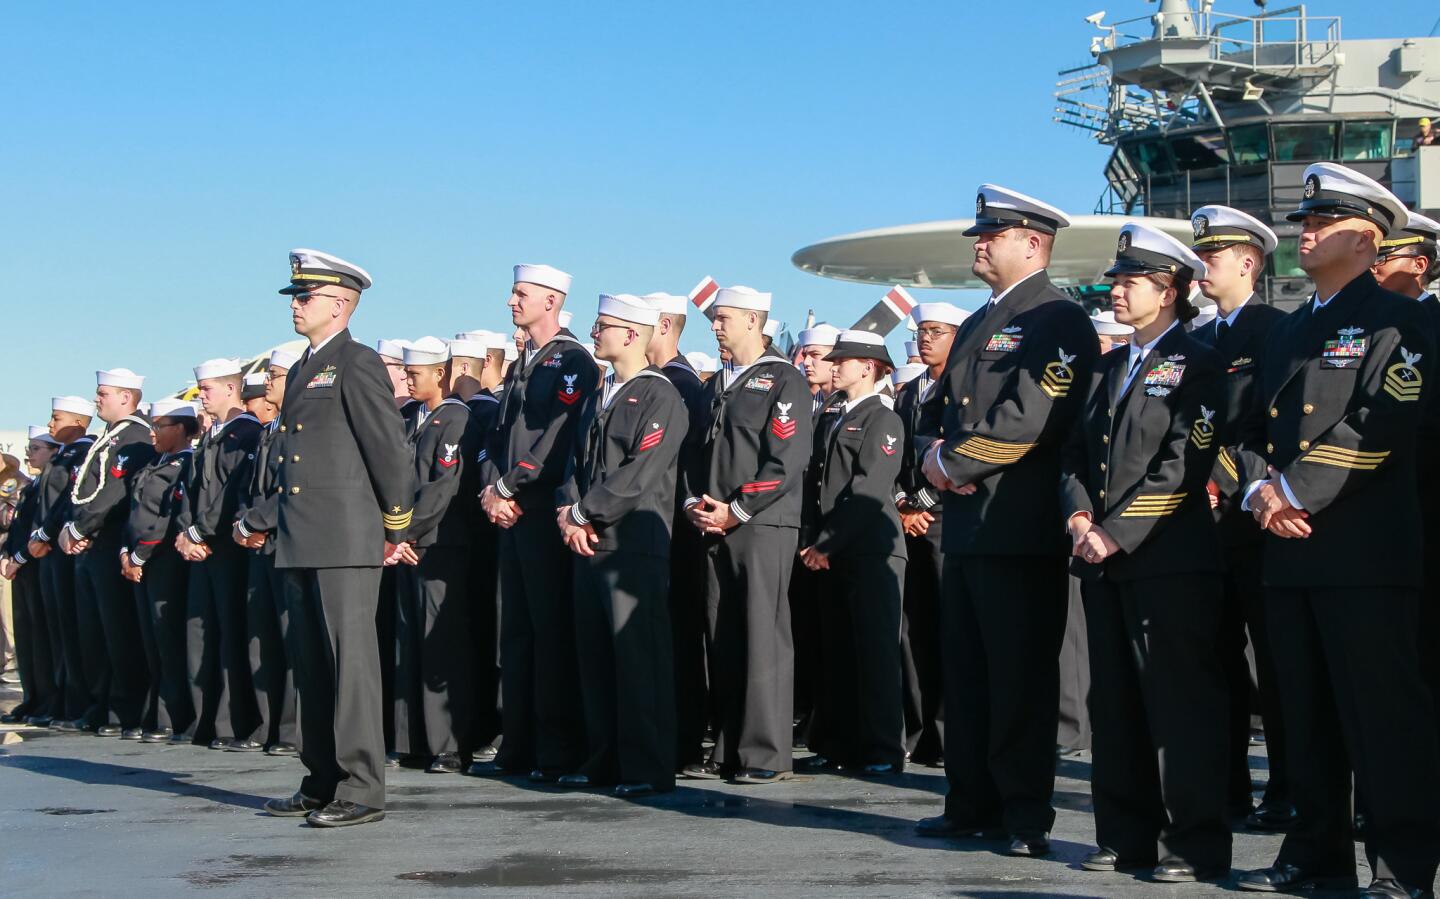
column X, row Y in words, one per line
column 158, row 161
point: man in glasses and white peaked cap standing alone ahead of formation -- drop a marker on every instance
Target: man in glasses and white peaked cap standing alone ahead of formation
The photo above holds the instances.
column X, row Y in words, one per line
column 345, row 495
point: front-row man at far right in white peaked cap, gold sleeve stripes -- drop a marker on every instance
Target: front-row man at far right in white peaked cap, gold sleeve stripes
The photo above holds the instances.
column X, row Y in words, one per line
column 1344, row 383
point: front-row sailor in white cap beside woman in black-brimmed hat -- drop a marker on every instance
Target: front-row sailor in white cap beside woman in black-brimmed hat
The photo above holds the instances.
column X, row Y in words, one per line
column 744, row 495
